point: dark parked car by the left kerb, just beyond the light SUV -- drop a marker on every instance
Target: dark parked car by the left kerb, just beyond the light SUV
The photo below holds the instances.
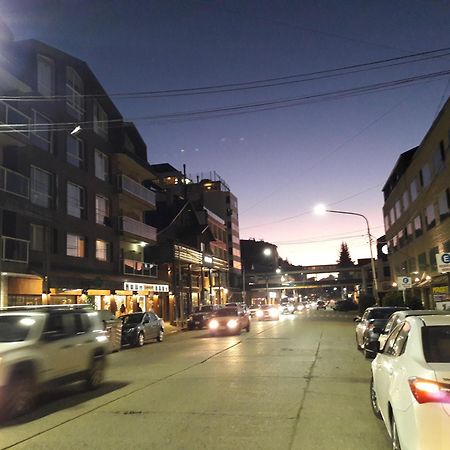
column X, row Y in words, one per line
column 139, row 328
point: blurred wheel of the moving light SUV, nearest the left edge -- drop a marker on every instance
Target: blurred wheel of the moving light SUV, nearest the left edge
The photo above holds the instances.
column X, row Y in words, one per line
column 19, row 398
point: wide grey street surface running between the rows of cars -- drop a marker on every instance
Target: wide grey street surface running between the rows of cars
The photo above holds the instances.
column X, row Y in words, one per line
column 298, row 383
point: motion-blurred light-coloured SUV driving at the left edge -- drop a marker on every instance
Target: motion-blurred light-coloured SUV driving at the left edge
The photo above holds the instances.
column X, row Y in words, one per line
column 45, row 347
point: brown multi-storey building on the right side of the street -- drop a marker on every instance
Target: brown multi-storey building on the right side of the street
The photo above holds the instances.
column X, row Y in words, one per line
column 417, row 209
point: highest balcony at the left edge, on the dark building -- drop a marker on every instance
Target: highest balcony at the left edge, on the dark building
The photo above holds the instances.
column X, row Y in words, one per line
column 14, row 126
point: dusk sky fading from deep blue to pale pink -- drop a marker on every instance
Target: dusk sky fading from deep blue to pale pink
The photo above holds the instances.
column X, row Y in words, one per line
column 312, row 140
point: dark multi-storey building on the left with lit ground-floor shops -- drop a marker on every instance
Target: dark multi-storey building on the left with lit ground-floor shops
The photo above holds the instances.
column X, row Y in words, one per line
column 72, row 194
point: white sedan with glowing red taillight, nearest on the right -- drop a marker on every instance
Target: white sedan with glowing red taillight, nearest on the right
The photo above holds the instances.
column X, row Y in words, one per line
column 410, row 385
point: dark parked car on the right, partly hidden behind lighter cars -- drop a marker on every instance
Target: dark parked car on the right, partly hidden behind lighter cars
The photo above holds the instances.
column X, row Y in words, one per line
column 370, row 325
